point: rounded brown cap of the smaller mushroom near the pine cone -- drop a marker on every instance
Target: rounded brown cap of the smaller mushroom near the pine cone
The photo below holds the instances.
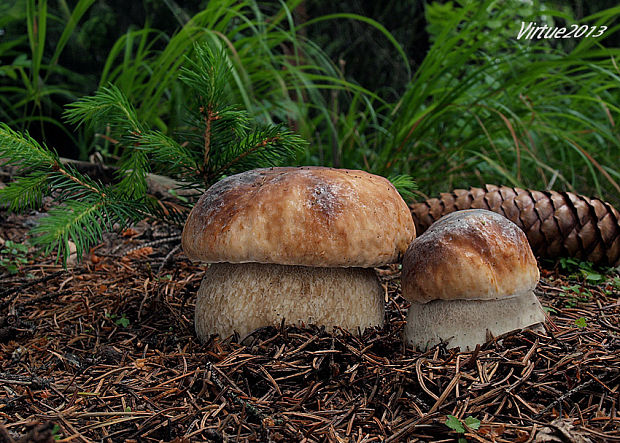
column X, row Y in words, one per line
column 472, row 255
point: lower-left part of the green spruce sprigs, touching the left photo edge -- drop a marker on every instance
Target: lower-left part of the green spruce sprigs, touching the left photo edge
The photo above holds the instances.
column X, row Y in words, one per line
column 86, row 207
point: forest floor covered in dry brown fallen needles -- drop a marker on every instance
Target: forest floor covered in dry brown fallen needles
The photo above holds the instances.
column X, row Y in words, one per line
column 106, row 351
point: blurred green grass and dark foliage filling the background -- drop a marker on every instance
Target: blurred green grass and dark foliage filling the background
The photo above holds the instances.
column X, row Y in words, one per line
column 360, row 102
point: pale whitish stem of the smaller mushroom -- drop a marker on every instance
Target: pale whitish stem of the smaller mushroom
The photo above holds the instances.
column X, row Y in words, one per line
column 464, row 323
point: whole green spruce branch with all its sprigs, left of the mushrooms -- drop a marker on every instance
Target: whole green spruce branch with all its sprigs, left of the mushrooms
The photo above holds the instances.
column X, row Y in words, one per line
column 223, row 140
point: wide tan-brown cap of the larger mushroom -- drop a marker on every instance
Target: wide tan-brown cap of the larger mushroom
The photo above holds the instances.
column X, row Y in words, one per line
column 309, row 216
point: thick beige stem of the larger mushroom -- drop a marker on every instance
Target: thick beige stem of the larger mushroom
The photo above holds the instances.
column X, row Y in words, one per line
column 244, row 297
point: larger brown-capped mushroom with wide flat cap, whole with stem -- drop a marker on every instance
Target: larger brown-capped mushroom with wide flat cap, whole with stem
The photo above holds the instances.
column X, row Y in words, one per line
column 297, row 244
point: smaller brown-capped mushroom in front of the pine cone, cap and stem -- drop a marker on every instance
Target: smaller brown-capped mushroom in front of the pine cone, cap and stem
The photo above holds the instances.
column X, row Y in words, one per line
column 470, row 276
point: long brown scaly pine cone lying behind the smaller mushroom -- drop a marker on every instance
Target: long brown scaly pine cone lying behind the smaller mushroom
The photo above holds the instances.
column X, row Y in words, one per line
column 557, row 224
